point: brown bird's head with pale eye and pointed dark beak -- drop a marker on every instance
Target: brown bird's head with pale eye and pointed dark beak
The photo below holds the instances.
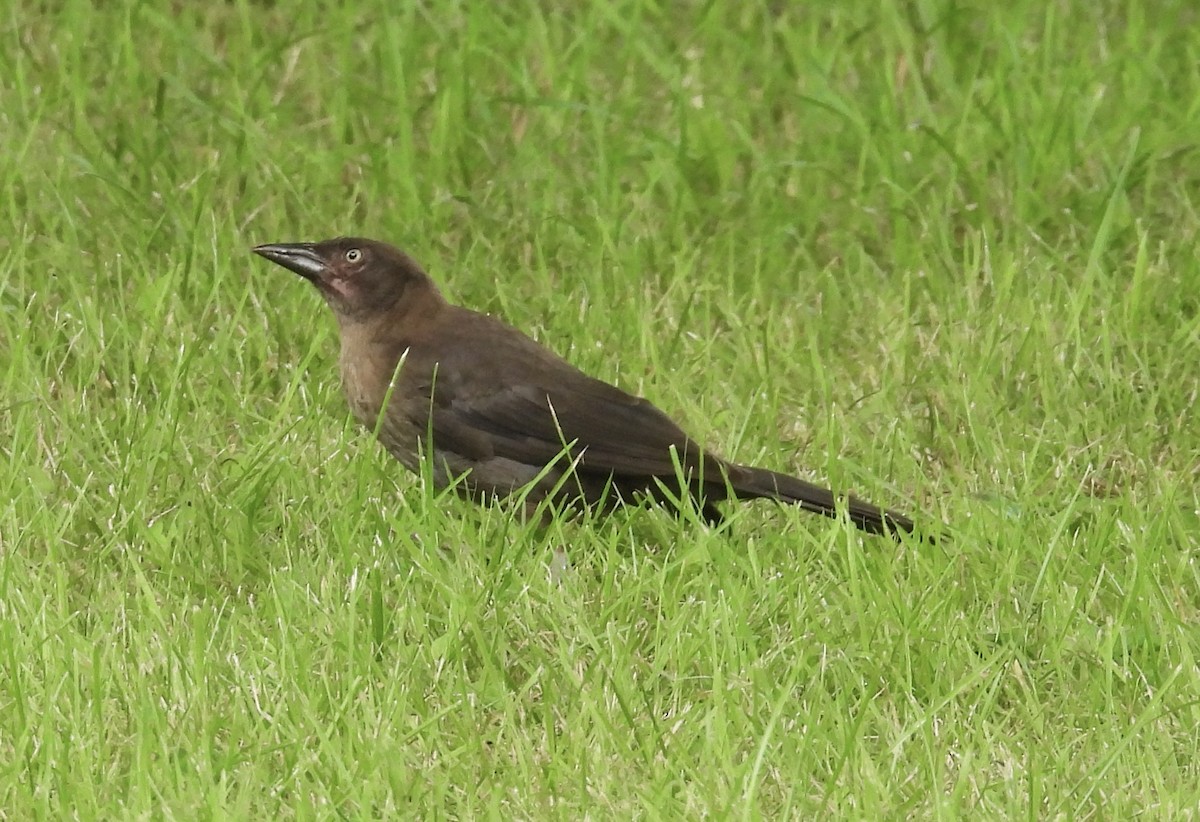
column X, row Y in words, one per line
column 357, row 277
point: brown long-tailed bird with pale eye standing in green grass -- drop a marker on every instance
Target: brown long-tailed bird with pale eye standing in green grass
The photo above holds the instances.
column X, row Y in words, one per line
column 501, row 413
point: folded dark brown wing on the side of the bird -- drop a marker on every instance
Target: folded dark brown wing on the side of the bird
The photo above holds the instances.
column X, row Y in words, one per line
column 607, row 429
